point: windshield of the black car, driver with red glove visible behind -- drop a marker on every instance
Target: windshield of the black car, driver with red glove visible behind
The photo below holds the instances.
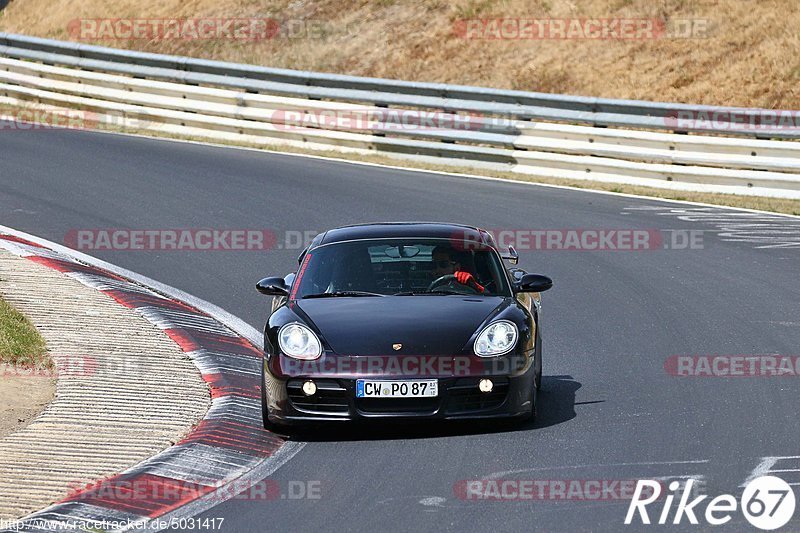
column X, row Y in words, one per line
column 403, row 267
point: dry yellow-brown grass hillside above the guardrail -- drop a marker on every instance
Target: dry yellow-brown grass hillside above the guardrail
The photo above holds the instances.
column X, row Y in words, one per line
column 746, row 52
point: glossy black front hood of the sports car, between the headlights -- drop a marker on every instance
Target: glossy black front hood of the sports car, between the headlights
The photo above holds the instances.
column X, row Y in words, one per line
column 424, row 325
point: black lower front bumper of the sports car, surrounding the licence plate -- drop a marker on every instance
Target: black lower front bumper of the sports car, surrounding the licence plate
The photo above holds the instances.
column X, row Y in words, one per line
column 458, row 398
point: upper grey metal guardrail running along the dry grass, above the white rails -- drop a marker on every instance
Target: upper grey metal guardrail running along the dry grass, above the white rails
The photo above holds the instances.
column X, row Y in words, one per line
column 518, row 104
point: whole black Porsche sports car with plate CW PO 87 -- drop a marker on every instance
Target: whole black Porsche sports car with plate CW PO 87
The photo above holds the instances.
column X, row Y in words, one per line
column 402, row 320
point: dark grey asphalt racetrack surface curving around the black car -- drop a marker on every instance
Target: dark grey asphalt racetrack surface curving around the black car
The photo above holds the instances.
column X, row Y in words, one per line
column 610, row 409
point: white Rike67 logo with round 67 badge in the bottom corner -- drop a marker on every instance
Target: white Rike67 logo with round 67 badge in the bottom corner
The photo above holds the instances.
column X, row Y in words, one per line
column 767, row 502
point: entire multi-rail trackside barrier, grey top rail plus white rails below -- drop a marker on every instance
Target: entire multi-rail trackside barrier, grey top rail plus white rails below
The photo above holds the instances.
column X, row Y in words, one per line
column 533, row 133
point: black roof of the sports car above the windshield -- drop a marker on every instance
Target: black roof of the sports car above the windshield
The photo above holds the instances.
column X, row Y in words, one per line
column 381, row 230
